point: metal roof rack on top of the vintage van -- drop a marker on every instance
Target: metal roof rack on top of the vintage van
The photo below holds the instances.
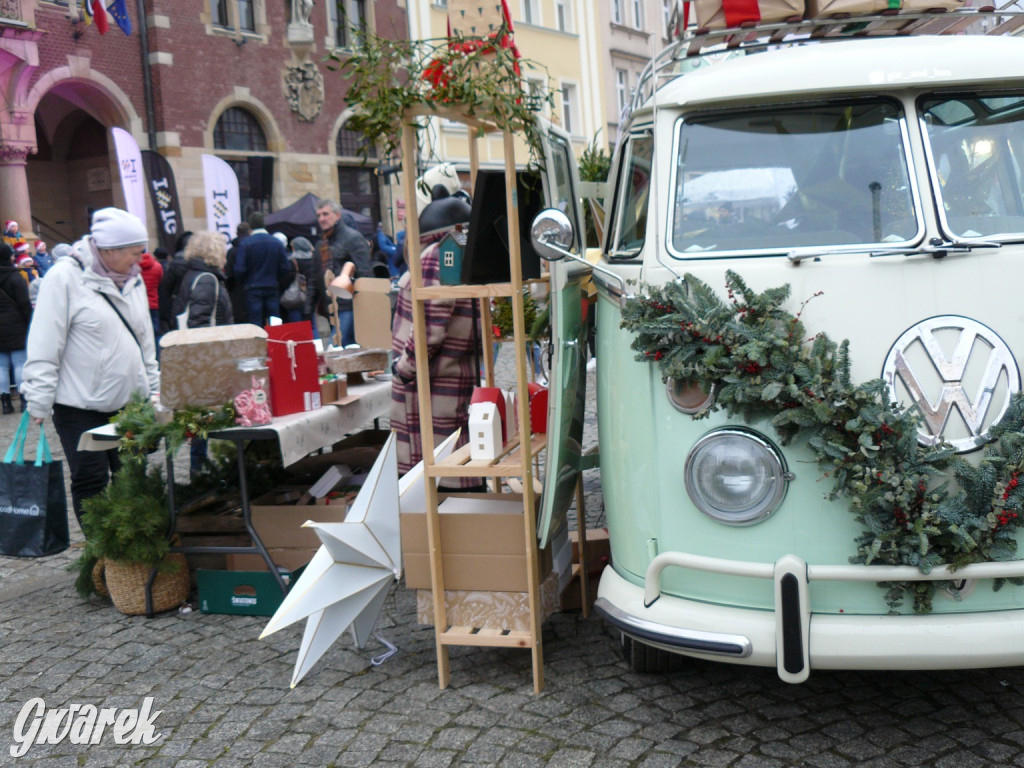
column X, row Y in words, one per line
column 693, row 48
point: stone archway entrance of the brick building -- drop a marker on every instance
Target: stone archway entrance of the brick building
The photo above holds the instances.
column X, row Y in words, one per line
column 74, row 170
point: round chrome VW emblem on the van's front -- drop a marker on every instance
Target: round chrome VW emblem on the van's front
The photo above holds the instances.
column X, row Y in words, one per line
column 959, row 374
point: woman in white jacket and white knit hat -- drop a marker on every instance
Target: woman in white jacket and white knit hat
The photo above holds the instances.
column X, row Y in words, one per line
column 91, row 345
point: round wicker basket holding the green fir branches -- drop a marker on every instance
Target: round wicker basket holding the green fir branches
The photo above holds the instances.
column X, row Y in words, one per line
column 126, row 584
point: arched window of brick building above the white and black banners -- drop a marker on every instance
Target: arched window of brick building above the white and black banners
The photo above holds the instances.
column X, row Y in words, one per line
column 237, row 136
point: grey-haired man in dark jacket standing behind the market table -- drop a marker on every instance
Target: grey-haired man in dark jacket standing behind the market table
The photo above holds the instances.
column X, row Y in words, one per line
column 347, row 253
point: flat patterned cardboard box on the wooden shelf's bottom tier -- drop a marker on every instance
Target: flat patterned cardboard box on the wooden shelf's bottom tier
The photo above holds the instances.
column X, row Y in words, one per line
column 506, row 611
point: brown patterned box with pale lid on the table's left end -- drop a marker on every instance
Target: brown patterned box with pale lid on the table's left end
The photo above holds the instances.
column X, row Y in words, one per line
column 198, row 365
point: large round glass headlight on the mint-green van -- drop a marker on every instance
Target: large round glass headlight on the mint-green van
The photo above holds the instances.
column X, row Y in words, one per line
column 736, row 477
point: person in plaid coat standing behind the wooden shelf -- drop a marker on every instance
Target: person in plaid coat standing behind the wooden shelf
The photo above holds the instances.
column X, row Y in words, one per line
column 453, row 351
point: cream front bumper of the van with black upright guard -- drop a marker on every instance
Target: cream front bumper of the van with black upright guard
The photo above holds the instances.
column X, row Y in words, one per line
column 794, row 639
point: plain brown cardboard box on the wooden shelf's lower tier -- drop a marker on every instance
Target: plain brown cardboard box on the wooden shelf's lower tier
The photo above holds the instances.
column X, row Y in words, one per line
column 484, row 542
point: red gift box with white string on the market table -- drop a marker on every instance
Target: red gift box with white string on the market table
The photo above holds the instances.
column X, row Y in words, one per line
column 292, row 361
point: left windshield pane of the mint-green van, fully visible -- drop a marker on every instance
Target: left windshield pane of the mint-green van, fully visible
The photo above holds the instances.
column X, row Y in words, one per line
column 789, row 178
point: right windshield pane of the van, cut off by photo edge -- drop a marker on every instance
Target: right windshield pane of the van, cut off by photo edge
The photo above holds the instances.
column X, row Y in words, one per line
column 976, row 145
